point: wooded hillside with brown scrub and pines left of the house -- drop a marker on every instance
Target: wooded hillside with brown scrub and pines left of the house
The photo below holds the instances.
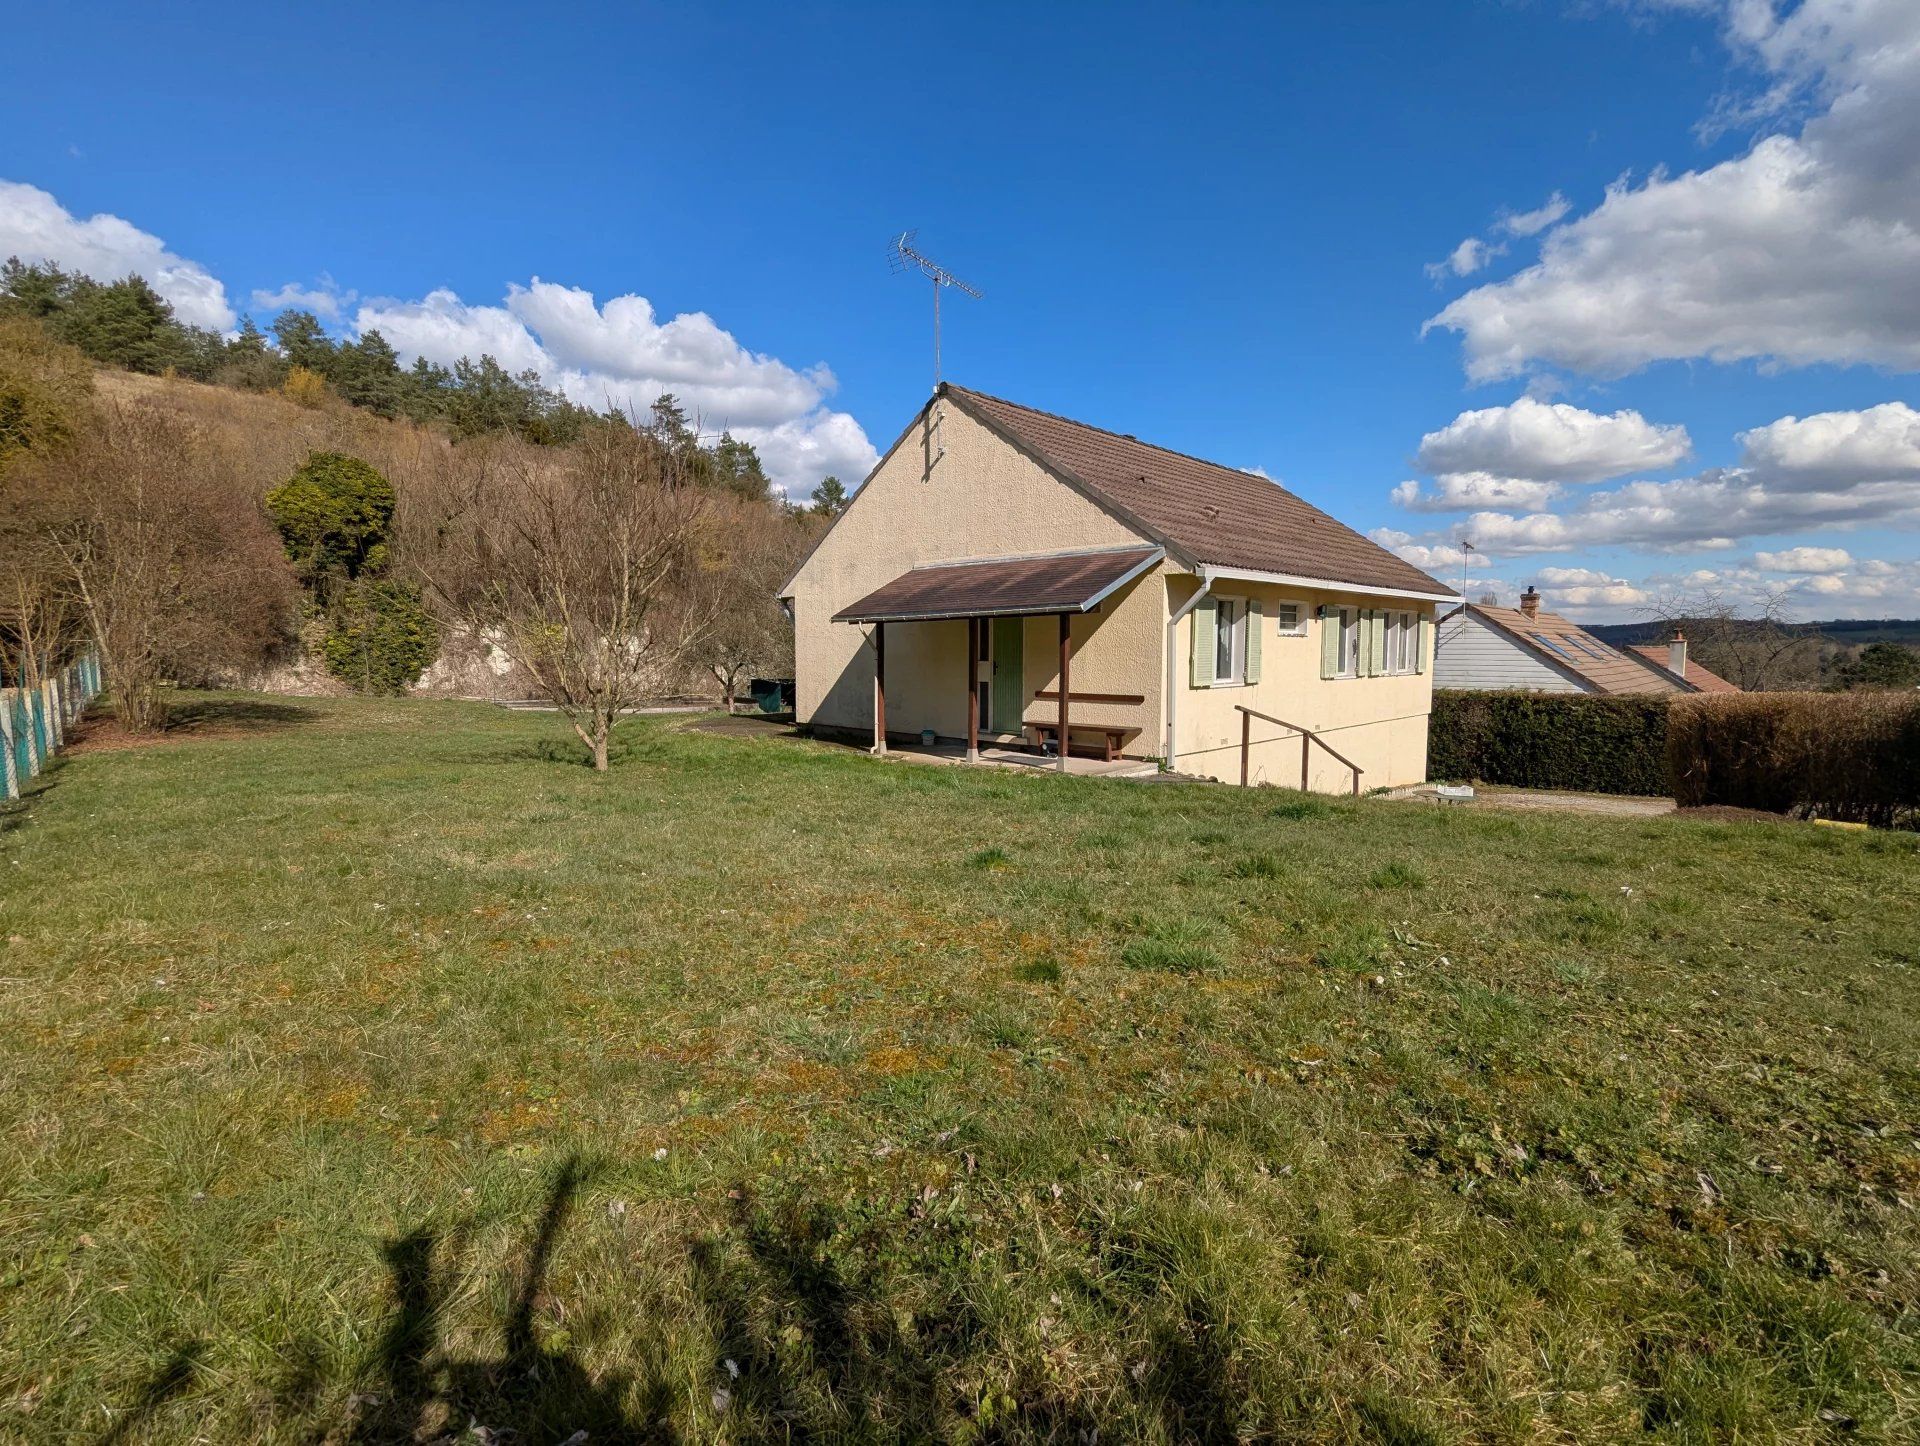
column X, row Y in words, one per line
column 291, row 537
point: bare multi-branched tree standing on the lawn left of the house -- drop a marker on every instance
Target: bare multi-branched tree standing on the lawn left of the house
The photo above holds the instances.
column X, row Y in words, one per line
column 596, row 571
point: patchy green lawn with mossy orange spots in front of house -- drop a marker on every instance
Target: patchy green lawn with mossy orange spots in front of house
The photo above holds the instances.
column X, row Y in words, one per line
column 373, row 1071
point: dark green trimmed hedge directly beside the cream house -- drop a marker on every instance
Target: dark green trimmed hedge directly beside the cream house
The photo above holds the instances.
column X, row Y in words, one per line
column 1581, row 742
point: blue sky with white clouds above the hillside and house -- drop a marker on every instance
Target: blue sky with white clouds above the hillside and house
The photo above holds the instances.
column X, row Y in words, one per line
column 1218, row 228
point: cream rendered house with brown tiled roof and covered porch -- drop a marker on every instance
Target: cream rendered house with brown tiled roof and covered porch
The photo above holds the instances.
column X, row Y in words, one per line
column 1005, row 575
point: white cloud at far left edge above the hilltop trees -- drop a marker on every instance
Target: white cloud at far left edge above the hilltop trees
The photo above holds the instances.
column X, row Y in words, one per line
column 39, row 229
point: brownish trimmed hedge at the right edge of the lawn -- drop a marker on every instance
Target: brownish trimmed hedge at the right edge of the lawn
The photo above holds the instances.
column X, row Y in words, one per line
column 1854, row 758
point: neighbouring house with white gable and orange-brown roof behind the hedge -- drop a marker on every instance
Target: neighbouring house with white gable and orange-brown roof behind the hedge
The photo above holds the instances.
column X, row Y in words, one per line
column 1522, row 648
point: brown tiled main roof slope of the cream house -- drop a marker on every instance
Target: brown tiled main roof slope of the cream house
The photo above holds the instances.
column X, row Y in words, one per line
column 1209, row 512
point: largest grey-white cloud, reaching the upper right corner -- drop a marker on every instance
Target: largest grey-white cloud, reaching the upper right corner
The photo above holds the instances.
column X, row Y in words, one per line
column 1802, row 251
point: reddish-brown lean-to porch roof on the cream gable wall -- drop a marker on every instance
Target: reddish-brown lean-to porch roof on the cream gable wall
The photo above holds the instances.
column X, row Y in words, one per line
column 1003, row 587
